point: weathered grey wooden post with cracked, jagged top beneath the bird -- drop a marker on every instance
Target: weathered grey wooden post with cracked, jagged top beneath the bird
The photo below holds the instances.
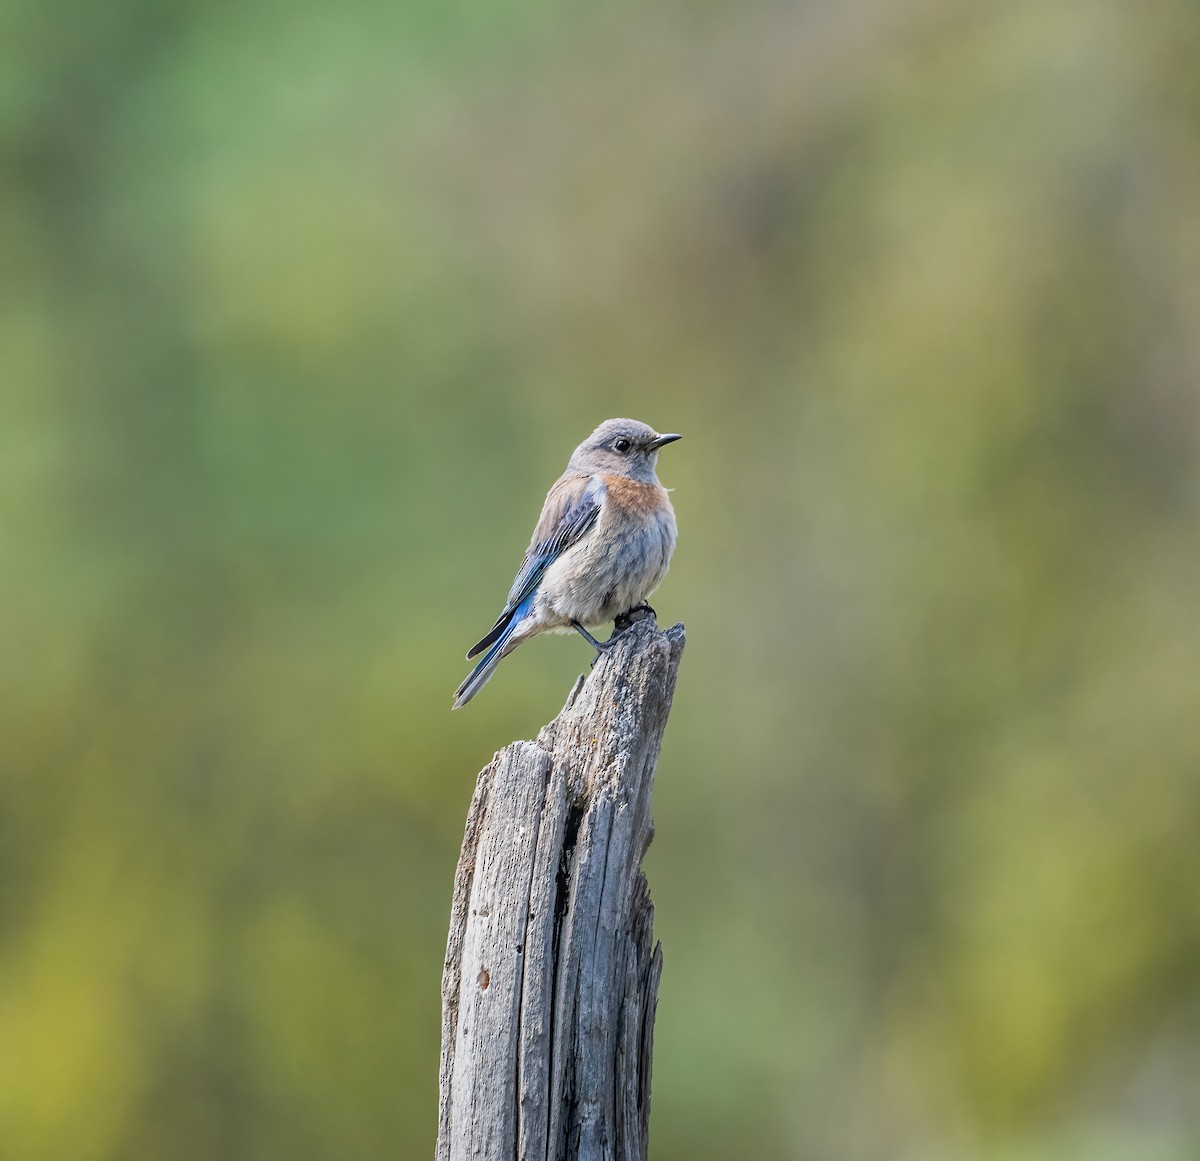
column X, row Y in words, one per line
column 553, row 974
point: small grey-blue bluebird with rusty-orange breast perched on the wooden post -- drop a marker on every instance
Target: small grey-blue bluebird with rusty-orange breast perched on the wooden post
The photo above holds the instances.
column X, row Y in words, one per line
column 602, row 546
